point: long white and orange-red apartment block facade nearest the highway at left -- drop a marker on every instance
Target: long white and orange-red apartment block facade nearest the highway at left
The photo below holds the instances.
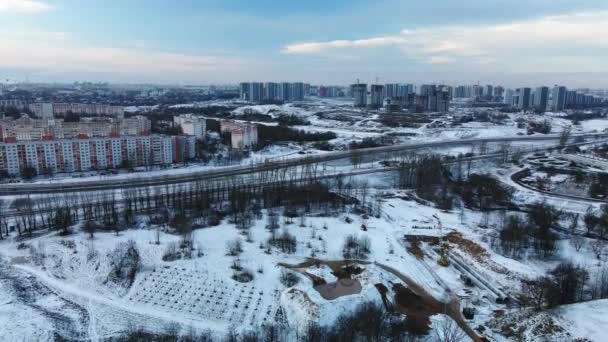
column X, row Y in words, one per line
column 51, row 156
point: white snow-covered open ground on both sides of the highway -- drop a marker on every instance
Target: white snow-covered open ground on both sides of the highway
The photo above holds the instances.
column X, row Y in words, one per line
column 54, row 285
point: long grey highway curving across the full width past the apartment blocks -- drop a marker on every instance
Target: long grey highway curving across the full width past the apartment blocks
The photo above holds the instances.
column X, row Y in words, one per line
column 231, row 171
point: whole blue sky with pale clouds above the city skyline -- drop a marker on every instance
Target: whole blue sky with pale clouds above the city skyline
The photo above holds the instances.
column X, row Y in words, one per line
column 514, row 43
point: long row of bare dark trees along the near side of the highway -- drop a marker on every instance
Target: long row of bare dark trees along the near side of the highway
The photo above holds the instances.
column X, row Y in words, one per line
column 201, row 203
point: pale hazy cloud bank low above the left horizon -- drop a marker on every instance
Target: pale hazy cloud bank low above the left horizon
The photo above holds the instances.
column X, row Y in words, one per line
column 56, row 53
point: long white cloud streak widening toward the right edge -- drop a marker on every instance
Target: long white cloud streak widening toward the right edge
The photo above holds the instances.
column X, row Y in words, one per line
column 569, row 42
